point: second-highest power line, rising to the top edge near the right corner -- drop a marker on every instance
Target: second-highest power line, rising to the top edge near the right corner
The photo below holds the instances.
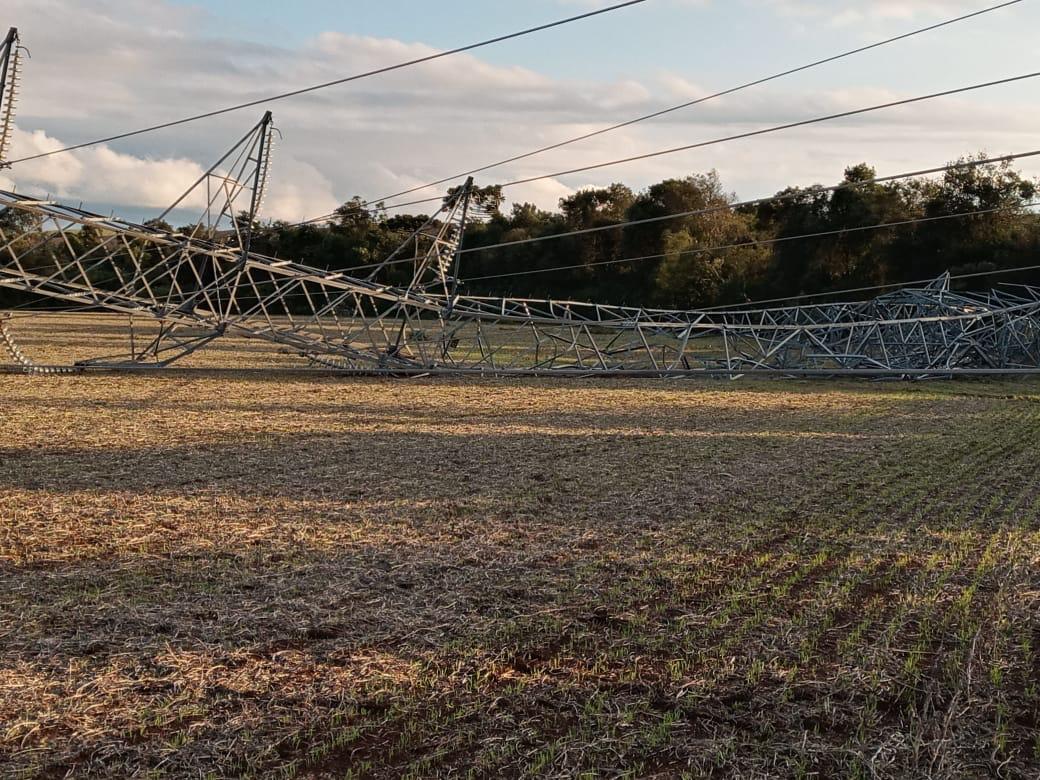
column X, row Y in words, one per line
column 690, row 105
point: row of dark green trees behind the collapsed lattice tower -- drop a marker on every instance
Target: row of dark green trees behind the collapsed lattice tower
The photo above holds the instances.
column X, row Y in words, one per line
column 724, row 255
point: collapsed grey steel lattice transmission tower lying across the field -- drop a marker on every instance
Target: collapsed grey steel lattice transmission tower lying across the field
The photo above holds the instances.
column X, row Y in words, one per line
column 205, row 283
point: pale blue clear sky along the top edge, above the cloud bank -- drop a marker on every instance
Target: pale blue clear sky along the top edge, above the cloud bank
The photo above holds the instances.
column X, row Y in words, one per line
column 706, row 40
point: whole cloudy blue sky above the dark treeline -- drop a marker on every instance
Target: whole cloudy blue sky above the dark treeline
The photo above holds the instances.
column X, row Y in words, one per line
column 111, row 66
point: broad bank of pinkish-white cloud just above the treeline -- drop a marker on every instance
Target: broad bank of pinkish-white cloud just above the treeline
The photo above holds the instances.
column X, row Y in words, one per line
column 401, row 131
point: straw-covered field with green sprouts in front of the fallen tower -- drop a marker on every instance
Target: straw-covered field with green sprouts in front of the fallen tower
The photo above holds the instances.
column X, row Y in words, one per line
column 322, row 578
